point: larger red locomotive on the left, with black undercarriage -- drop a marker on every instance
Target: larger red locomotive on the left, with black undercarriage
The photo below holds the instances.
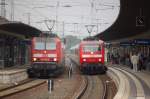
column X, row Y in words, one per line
column 47, row 57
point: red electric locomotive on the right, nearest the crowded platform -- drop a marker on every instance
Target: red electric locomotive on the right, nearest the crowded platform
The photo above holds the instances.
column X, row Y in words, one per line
column 91, row 55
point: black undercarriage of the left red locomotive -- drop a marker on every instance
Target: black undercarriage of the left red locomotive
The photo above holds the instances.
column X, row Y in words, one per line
column 41, row 69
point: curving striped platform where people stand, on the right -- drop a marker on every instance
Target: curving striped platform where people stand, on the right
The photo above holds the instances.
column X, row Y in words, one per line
column 136, row 84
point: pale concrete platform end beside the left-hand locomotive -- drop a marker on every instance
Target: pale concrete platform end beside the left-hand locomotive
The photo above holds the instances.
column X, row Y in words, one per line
column 13, row 75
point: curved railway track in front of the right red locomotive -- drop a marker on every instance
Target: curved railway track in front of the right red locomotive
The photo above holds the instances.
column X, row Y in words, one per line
column 97, row 87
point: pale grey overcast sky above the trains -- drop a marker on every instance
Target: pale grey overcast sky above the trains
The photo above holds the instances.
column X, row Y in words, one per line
column 74, row 13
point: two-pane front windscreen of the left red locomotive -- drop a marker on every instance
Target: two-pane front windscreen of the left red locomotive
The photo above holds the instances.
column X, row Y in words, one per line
column 45, row 43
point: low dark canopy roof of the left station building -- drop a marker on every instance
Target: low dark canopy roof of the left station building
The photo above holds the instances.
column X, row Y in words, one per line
column 19, row 28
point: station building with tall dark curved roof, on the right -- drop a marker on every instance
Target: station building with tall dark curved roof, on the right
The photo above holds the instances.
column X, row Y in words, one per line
column 130, row 32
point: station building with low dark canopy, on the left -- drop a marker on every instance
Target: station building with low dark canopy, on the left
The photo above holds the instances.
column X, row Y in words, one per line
column 15, row 43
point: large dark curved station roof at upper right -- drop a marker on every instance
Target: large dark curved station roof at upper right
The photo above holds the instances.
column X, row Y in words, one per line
column 134, row 19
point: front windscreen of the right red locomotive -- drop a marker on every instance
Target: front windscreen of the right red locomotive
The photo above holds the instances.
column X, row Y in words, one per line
column 91, row 48
